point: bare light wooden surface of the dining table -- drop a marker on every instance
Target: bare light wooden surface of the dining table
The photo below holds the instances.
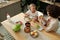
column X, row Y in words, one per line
column 44, row 35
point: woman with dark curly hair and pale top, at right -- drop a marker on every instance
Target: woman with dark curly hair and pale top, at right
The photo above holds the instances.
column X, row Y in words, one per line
column 52, row 21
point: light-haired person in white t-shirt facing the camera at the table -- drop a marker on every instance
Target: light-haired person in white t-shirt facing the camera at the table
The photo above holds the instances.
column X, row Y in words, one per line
column 32, row 13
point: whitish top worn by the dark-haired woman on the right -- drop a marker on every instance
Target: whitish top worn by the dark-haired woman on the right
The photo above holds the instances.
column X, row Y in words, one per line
column 53, row 25
